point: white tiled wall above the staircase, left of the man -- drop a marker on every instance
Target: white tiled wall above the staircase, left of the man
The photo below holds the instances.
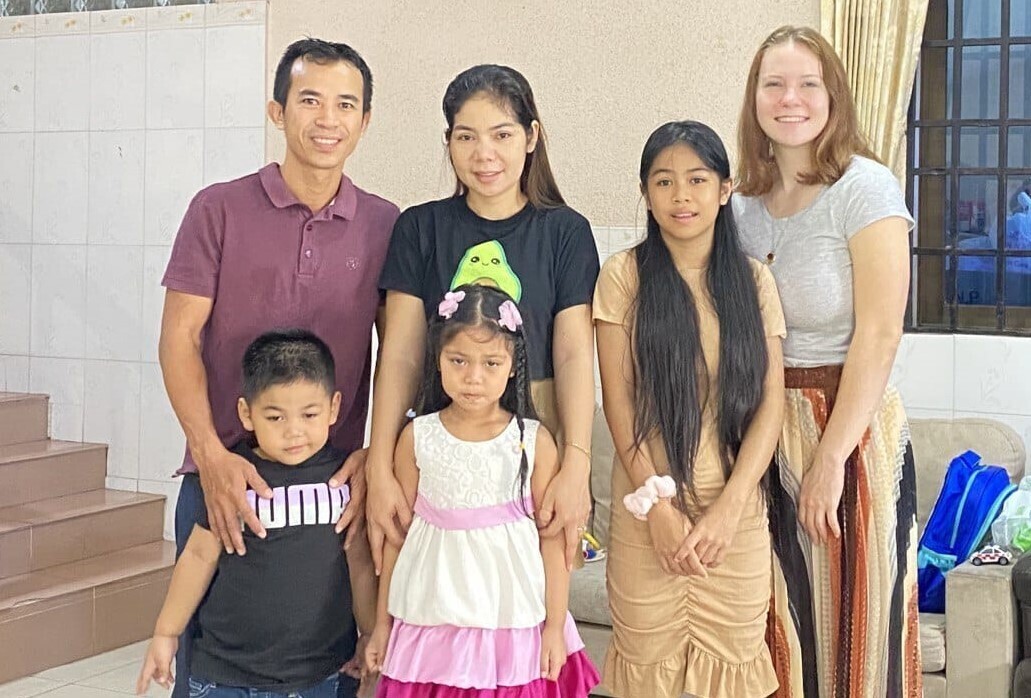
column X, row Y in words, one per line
column 110, row 123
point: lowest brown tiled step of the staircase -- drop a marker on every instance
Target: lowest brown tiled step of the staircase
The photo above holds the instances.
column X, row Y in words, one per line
column 79, row 610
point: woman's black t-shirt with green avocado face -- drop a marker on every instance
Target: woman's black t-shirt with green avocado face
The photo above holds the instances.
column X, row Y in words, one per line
column 545, row 258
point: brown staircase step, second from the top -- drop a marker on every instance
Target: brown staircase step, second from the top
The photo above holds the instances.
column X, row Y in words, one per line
column 43, row 470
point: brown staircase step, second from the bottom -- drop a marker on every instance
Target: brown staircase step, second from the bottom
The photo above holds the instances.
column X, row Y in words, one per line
column 59, row 530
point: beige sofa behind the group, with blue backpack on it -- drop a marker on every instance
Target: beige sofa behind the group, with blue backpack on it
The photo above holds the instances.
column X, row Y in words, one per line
column 970, row 651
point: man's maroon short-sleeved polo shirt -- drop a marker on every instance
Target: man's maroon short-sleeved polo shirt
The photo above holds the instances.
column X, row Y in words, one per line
column 269, row 262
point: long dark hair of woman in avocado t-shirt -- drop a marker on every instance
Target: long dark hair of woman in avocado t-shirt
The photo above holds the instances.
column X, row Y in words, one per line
column 512, row 91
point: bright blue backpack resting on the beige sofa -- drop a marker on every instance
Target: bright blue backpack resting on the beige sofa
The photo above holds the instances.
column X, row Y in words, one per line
column 971, row 500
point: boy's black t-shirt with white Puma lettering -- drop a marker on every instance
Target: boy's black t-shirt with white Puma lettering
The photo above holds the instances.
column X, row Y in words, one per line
column 280, row 618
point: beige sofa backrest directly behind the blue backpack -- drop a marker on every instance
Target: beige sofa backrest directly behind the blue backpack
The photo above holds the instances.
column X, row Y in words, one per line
column 936, row 443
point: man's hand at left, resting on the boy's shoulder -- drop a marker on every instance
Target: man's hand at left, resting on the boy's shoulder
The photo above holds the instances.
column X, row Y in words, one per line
column 225, row 479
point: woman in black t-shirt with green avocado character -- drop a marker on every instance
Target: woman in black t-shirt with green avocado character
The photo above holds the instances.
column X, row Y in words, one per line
column 507, row 226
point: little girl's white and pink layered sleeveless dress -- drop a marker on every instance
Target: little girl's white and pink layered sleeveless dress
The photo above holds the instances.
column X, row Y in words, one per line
column 468, row 595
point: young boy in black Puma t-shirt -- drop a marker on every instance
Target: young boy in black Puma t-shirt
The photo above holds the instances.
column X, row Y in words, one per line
column 280, row 619
